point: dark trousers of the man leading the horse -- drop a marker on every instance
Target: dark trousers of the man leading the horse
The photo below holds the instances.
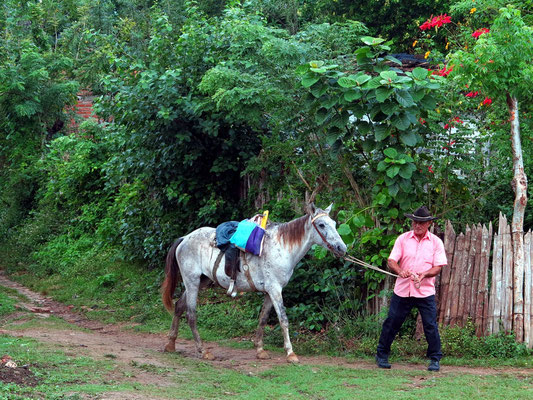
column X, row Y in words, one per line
column 399, row 308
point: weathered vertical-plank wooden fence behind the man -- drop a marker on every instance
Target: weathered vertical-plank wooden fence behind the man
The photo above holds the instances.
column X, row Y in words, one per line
column 479, row 283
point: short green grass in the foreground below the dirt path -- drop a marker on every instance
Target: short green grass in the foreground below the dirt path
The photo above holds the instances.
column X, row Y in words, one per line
column 65, row 377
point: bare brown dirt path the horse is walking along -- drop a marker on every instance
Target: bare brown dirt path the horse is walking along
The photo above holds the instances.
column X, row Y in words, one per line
column 101, row 341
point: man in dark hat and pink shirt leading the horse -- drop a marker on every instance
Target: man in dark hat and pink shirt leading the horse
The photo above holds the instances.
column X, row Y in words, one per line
column 417, row 258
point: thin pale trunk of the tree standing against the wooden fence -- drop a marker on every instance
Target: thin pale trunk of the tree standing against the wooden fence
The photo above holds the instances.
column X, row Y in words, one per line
column 519, row 184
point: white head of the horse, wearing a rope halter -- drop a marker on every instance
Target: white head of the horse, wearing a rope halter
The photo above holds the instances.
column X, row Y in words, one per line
column 325, row 231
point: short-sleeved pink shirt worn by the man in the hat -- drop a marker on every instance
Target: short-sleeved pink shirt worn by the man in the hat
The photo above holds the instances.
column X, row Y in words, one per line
column 417, row 256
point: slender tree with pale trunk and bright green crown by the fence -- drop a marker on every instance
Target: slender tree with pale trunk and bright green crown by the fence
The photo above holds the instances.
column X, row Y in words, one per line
column 499, row 66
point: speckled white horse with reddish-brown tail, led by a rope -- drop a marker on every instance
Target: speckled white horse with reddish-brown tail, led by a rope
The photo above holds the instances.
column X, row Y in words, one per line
column 197, row 259
